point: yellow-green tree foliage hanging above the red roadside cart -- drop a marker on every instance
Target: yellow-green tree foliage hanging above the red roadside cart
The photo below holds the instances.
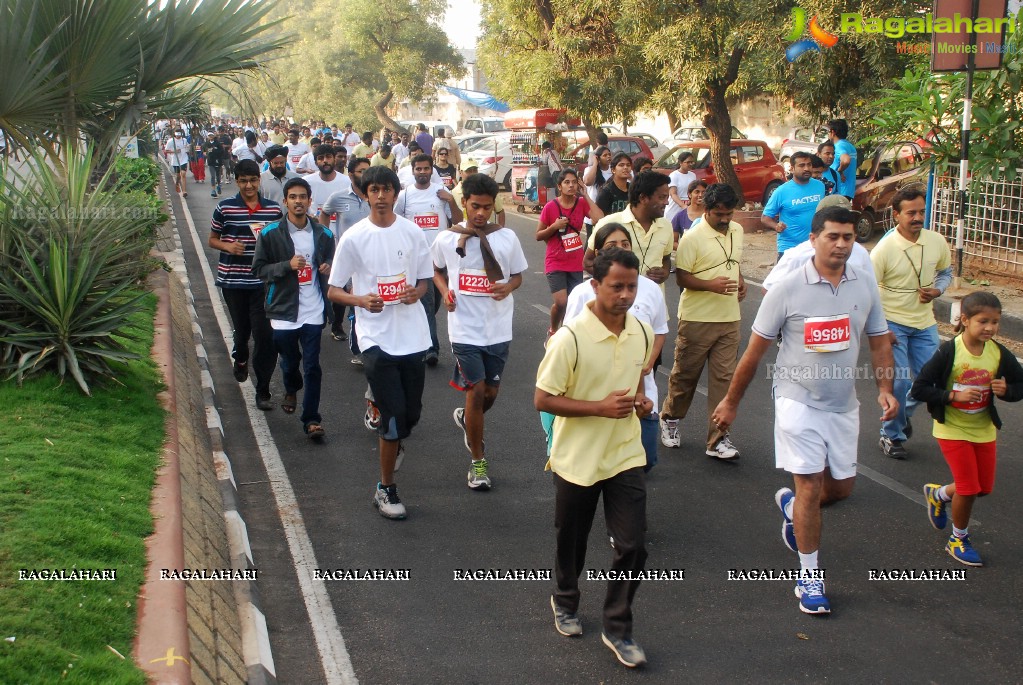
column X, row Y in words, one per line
column 561, row 54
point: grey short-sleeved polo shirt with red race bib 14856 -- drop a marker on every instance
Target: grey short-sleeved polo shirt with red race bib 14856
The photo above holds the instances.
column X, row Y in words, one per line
column 821, row 329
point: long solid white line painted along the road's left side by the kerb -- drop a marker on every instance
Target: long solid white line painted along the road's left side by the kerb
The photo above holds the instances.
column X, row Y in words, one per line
column 334, row 655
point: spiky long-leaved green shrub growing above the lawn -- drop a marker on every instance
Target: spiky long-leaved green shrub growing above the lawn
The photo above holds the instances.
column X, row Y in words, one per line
column 71, row 255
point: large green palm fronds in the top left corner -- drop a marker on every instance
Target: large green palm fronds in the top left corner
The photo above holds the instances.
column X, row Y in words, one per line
column 75, row 73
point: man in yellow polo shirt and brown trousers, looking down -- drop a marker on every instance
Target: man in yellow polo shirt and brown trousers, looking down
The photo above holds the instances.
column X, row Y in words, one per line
column 707, row 267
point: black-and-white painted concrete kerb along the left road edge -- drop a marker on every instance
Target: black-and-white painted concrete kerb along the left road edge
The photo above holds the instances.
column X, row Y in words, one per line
column 255, row 635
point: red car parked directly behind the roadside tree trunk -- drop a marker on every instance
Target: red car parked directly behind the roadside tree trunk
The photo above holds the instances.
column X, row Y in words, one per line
column 759, row 170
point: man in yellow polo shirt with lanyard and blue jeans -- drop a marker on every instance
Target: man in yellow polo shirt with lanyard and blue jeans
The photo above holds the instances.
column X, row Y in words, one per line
column 913, row 268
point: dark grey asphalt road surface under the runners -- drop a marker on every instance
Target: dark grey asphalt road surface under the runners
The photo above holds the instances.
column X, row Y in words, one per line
column 705, row 518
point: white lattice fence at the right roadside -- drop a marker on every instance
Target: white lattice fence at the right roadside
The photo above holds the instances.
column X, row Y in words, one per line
column 994, row 237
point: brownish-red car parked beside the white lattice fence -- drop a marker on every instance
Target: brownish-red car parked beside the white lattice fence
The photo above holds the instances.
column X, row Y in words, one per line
column 881, row 173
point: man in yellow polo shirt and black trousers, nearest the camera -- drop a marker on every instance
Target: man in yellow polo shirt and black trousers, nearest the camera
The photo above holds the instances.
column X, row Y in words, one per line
column 591, row 381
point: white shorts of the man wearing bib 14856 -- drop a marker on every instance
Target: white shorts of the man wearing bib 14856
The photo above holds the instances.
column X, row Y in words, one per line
column 807, row 439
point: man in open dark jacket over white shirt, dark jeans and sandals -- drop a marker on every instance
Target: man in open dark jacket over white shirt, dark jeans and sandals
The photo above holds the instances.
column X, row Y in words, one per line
column 293, row 258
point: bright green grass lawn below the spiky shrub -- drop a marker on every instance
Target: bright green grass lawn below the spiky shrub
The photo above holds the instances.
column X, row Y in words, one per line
column 76, row 476
